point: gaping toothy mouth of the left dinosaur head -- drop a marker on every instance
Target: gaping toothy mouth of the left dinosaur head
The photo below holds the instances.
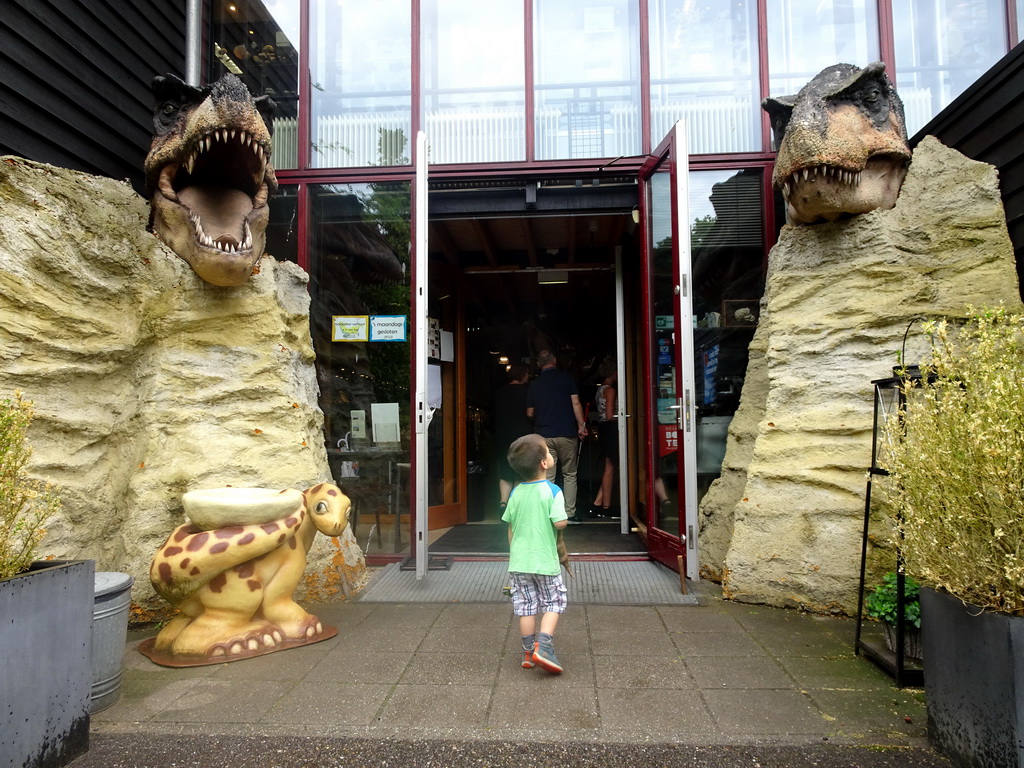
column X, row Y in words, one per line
column 222, row 182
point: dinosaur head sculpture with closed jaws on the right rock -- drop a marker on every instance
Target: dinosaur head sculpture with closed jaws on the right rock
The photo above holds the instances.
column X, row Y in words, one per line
column 842, row 145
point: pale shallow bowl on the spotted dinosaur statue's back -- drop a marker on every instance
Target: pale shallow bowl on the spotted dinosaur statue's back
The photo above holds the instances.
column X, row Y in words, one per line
column 219, row 508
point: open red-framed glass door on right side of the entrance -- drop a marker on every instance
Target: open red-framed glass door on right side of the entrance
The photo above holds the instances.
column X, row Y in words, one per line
column 671, row 508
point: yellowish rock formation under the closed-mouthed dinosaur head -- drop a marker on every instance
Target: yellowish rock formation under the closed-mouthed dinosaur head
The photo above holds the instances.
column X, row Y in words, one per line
column 783, row 525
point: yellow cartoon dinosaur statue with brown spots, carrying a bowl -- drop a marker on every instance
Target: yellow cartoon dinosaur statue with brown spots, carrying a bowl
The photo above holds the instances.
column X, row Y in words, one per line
column 234, row 585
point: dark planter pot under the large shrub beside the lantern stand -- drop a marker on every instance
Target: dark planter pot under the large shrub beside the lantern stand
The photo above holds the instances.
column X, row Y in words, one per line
column 974, row 682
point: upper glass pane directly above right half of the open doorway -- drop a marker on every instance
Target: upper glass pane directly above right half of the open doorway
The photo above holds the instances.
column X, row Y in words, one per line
column 587, row 79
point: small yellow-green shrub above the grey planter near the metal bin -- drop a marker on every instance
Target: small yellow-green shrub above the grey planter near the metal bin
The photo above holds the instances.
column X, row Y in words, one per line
column 26, row 504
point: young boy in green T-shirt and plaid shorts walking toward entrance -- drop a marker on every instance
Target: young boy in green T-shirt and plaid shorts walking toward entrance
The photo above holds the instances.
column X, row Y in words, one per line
column 536, row 510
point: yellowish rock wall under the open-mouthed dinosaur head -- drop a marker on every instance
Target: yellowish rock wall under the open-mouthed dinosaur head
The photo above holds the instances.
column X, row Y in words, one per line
column 150, row 382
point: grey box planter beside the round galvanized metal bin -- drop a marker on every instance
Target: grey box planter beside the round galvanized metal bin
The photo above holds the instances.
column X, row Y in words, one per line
column 46, row 664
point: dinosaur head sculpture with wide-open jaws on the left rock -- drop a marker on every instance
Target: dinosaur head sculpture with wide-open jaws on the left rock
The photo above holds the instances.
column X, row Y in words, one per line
column 209, row 176
